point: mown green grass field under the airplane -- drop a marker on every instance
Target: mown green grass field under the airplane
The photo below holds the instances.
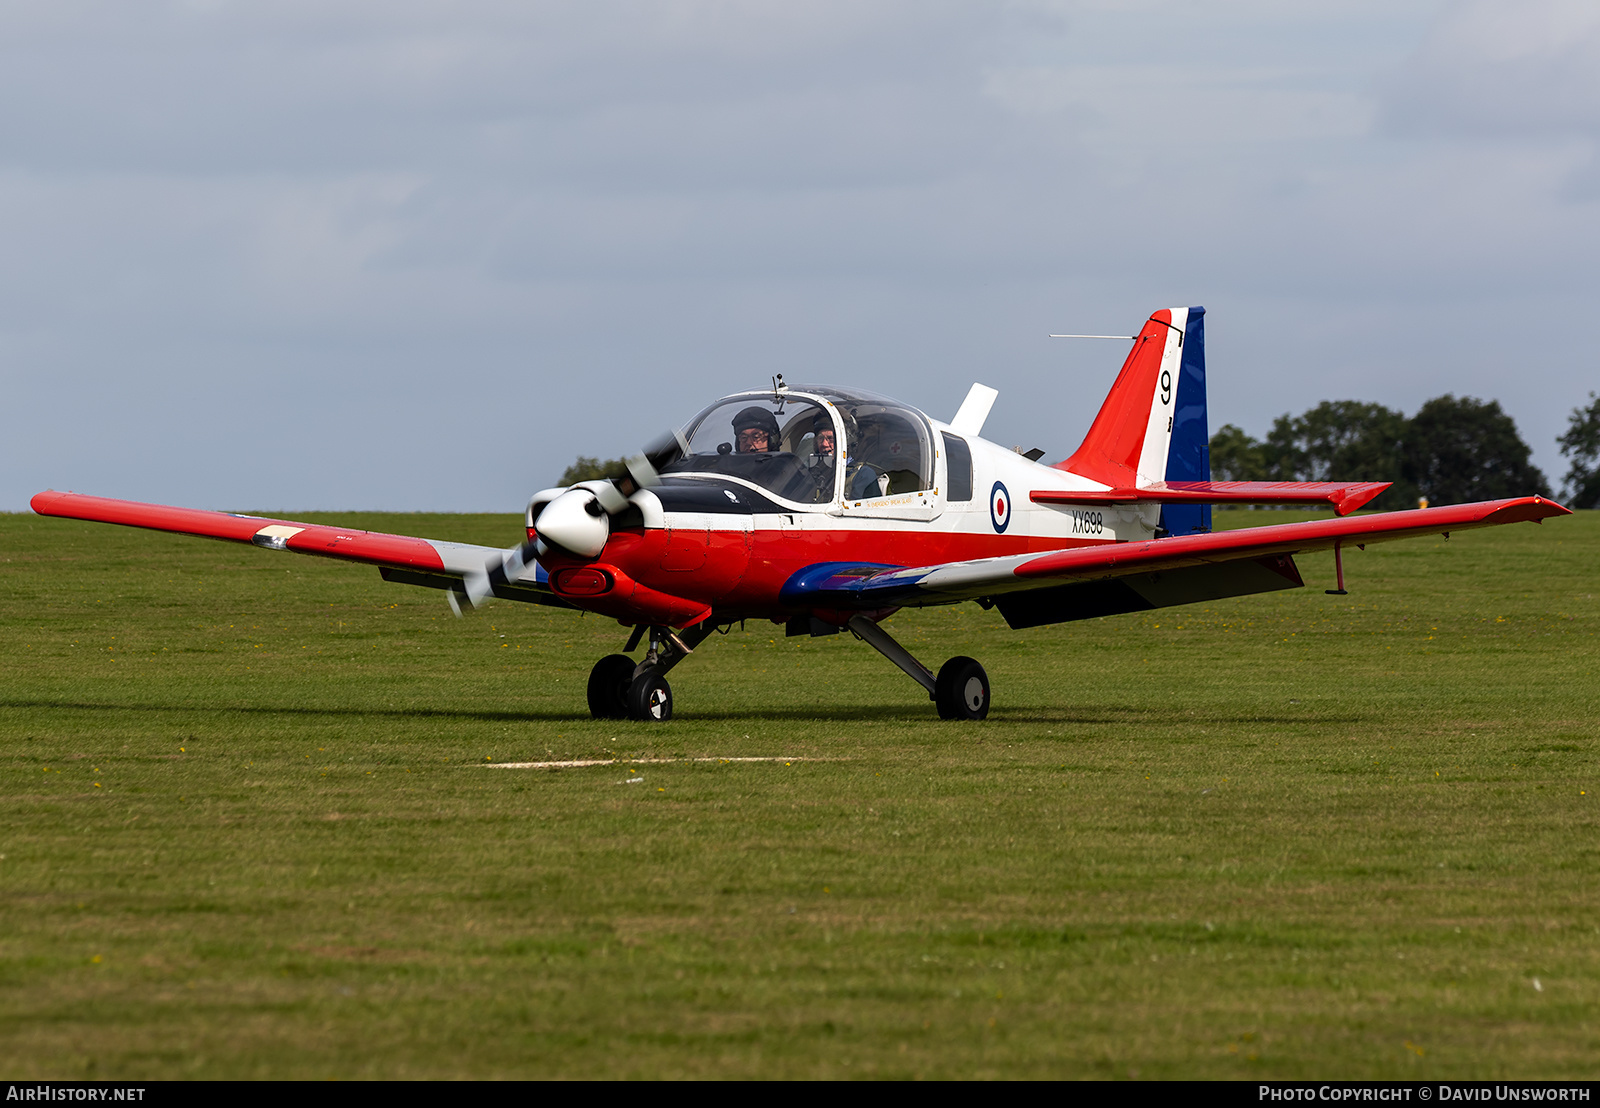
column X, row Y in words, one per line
column 250, row 827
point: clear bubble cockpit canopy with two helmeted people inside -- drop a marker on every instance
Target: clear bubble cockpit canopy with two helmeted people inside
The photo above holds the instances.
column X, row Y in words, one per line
column 780, row 443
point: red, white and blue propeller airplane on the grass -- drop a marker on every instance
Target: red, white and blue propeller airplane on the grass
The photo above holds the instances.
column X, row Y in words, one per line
column 830, row 508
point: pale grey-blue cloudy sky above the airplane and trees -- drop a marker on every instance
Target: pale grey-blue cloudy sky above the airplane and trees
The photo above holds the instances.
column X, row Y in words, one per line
column 418, row 257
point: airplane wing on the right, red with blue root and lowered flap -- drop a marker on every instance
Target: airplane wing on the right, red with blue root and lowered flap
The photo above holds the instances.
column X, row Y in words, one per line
column 1108, row 579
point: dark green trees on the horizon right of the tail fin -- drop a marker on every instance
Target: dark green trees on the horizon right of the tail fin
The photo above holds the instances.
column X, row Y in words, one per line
column 1450, row 452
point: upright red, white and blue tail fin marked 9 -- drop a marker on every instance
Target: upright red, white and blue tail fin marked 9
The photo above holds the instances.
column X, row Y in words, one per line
column 1153, row 427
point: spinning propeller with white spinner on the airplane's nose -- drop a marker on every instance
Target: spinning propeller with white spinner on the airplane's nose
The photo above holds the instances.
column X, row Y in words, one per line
column 575, row 520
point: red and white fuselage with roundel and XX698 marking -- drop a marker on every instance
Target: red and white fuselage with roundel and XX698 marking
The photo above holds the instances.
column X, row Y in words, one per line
column 722, row 534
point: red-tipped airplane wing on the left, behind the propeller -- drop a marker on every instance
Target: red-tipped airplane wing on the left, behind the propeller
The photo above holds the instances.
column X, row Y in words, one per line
column 409, row 561
